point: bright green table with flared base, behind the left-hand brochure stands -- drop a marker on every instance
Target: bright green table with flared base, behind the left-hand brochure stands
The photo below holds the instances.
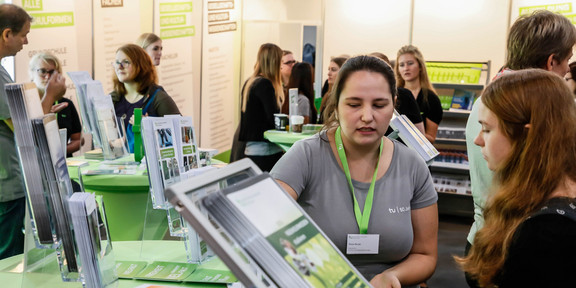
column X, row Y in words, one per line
column 126, row 200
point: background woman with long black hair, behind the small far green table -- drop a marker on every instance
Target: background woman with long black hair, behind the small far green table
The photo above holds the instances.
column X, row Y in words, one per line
column 302, row 77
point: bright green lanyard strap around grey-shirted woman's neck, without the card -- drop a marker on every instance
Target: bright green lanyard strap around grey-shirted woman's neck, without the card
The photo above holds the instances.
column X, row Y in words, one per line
column 361, row 218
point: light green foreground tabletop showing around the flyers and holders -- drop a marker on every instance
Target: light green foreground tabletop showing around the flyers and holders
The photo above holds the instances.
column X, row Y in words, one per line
column 171, row 251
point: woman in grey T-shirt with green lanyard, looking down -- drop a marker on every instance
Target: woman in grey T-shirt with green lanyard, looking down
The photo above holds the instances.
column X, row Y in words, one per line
column 350, row 164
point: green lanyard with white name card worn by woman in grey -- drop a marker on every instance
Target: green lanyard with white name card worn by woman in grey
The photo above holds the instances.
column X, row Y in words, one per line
column 361, row 243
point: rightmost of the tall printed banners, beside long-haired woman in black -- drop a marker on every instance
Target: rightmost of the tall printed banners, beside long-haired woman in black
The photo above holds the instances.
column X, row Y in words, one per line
column 219, row 69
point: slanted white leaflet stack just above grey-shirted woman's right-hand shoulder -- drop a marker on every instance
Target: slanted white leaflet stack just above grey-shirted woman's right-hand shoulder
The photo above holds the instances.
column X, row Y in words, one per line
column 413, row 138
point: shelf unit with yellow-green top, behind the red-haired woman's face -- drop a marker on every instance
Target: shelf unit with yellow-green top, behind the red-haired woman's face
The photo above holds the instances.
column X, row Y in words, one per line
column 451, row 171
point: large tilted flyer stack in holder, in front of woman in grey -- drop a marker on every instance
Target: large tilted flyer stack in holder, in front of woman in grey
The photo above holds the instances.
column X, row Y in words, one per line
column 261, row 233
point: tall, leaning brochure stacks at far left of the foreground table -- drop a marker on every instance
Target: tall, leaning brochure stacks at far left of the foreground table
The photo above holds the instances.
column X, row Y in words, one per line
column 43, row 163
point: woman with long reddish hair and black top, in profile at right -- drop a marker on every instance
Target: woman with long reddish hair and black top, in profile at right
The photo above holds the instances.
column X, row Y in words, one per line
column 529, row 235
